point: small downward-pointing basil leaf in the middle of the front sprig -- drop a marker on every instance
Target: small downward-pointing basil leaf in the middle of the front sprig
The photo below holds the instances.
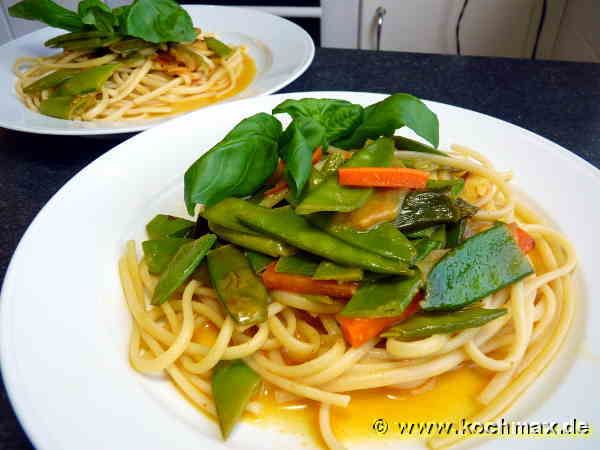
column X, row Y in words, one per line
column 297, row 143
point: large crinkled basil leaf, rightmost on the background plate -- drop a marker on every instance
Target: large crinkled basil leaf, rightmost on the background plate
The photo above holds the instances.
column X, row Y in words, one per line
column 159, row 21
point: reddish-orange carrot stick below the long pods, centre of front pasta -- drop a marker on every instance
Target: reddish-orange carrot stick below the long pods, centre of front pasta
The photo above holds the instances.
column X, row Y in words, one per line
column 306, row 285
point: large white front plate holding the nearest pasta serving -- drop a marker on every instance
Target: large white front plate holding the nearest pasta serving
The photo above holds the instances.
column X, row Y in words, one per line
column 64, row 325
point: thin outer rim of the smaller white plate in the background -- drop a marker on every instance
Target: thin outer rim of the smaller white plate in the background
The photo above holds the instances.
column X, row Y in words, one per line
column 298, row 72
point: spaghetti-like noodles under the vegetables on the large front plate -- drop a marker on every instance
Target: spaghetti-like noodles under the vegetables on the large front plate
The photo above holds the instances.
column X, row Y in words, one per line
column 540, row 310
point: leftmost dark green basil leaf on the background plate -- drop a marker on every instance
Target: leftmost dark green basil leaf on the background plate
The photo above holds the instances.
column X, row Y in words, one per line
column 48, row 12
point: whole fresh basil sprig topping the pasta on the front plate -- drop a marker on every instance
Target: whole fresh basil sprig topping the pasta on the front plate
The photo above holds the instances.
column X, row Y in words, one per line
column 240, row 164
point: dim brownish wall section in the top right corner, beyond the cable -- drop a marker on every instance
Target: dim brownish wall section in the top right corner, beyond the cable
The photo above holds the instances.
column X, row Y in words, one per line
column 579, row 35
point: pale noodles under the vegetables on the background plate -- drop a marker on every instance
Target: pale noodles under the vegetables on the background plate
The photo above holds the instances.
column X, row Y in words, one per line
column 149, row 85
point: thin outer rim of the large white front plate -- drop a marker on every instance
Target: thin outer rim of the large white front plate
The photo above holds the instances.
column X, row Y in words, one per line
column 23, row 409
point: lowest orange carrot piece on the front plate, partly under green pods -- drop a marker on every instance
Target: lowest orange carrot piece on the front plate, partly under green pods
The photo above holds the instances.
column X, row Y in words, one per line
column 358, row 330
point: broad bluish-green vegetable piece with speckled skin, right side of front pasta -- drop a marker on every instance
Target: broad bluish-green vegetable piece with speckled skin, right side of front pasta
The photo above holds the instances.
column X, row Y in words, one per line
column 480, row 266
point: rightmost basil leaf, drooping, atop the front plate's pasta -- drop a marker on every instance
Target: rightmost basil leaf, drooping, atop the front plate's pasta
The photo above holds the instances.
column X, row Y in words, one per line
column 385, row 117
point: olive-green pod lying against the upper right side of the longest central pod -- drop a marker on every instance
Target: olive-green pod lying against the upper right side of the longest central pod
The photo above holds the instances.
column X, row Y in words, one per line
column 385, row 239
